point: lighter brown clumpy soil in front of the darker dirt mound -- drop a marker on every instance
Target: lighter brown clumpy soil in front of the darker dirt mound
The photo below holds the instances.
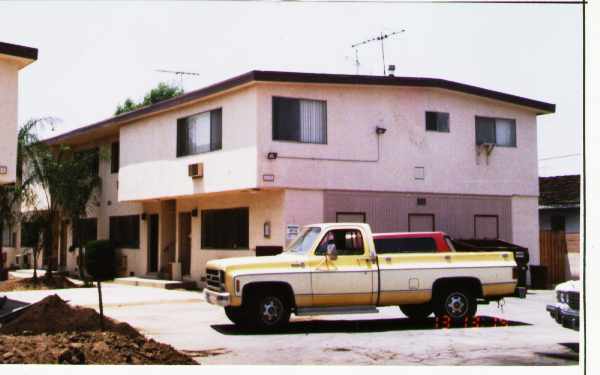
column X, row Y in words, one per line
column 88, row 348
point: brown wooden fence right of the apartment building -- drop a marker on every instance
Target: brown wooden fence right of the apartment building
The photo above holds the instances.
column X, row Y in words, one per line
column 553, row 255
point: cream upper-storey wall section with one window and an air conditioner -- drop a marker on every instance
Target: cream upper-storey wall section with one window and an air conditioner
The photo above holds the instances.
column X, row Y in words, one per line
column 151, row 169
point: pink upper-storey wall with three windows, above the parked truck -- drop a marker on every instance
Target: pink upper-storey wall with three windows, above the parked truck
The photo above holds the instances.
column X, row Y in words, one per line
column 449, row 159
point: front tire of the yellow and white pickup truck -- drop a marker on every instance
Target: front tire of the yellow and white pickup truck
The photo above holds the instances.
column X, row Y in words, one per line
column 268, row 311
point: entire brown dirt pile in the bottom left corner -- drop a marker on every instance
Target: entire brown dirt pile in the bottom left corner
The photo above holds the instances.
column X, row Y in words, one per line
column 52, row 331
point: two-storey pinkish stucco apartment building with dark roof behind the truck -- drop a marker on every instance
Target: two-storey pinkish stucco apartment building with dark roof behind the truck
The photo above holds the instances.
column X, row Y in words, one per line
column 227, row 169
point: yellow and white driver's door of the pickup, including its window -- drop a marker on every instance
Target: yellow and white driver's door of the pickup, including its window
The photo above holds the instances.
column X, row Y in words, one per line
column 347, row 280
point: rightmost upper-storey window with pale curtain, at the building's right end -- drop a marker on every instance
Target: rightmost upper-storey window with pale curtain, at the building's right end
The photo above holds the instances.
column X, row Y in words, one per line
column 501, row 132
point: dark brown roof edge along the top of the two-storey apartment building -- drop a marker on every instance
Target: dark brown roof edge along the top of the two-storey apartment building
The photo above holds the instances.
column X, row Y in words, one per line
column 105, row 126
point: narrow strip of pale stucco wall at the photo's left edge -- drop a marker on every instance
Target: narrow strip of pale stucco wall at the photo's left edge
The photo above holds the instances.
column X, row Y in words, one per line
column 8, row 119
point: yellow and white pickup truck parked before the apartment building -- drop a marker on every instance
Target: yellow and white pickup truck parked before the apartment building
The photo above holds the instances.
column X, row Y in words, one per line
column 336, row 268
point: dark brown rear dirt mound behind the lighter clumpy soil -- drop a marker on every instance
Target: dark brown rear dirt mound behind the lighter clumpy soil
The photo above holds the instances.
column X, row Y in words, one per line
column 53, row 315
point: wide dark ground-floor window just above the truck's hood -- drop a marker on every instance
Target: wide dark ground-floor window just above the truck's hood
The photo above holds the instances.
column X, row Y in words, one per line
column 225, row 229
